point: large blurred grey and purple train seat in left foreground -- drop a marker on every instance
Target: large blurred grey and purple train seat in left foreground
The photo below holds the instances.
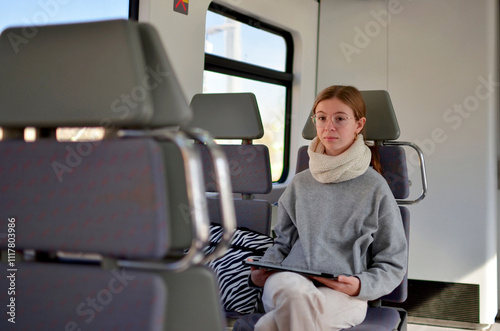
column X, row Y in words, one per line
column 94, row 224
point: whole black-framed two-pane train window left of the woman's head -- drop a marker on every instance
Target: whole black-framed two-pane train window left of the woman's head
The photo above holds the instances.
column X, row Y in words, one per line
column 243, row 54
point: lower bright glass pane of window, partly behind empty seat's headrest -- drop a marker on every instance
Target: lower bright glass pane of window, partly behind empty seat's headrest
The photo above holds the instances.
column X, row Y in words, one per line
column 271, row 102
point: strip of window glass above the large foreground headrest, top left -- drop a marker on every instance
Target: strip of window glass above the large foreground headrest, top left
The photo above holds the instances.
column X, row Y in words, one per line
column 42, row 12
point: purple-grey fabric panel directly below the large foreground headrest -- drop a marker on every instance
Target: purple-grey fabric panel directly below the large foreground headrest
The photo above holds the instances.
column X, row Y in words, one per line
column 68, row 197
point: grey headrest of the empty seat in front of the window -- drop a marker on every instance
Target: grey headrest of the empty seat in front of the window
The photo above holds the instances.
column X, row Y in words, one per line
column 227, row 115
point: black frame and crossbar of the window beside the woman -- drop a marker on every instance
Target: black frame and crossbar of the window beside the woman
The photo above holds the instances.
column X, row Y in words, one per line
column 240, row 69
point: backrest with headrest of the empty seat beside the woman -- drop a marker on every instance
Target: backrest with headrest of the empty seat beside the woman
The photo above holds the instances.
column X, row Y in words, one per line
column 250, row 169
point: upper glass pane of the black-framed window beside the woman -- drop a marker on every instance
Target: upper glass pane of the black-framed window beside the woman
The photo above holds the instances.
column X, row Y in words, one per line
column 229, row 38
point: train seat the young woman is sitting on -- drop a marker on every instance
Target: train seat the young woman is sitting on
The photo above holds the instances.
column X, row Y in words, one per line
column 382, row 128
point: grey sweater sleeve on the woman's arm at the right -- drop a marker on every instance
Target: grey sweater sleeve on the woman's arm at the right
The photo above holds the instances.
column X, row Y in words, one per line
column 389, row 254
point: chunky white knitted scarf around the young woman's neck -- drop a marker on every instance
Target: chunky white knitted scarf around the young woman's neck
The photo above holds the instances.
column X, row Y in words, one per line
column 335, row 169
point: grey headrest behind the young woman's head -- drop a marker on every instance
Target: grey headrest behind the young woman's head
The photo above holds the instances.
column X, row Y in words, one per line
column 381, row 123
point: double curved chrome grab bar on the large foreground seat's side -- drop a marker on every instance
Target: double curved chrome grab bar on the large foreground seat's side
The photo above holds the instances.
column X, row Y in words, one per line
column 197, row 201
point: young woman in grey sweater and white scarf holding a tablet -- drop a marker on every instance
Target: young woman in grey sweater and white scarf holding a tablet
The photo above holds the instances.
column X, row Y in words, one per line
column 340, row 217
